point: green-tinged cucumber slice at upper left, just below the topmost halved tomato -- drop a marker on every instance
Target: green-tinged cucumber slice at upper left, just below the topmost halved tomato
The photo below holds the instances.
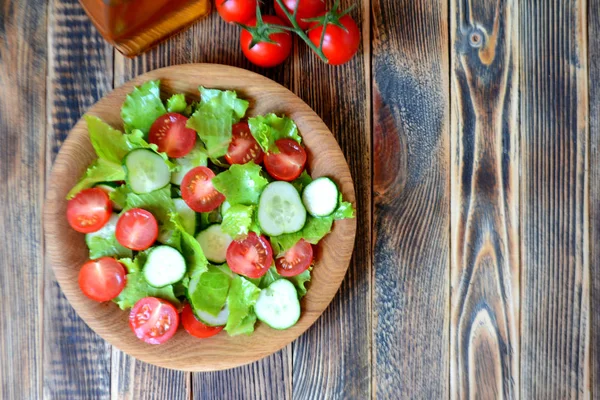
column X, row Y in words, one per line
column 146, row 171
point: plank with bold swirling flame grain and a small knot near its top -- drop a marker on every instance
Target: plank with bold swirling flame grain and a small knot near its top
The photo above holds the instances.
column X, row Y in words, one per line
column 484, row 325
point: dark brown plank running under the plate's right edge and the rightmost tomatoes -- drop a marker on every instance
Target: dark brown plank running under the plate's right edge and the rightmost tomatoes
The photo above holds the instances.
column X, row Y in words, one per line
column 332, row 360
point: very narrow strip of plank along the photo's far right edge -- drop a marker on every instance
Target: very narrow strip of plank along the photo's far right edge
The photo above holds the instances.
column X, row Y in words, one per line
column 594, row 196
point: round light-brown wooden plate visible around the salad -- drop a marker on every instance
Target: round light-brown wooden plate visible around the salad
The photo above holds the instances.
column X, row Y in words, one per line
column 67, row 251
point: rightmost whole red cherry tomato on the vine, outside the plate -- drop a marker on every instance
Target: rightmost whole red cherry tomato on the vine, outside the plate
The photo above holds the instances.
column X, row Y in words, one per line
column 339, row 44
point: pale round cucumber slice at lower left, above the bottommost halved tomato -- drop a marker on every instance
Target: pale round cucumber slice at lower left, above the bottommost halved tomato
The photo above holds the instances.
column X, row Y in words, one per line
column 164, row 266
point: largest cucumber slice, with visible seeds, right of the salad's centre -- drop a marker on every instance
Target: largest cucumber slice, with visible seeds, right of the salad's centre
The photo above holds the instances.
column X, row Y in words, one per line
column 280, row 209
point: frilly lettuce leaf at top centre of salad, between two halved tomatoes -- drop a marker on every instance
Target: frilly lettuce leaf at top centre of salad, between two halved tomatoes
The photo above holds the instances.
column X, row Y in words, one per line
column 217, row 112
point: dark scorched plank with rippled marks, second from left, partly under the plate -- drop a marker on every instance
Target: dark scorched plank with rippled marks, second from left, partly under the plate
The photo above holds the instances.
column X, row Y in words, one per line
column 76, row 360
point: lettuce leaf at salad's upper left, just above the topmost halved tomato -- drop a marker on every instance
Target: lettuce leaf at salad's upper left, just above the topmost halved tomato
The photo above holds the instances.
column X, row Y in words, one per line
column 142, row 107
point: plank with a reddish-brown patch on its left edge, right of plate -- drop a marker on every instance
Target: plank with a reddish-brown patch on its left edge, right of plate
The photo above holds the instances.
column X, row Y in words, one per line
column 411, row 199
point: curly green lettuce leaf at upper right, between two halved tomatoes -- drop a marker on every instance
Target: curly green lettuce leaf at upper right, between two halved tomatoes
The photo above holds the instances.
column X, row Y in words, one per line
column 267, row 129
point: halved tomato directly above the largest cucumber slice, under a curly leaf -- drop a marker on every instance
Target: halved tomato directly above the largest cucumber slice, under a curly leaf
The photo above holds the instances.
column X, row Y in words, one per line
column 288, row 164
